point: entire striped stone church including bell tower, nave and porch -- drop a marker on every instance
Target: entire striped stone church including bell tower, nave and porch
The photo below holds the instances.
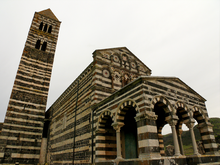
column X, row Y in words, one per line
column 113, row 113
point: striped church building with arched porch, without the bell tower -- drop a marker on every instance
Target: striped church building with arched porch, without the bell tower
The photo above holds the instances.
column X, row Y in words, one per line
column 88, row 121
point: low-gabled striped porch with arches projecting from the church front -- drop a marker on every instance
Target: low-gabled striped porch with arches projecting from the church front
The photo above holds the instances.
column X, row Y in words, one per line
column 157, row 101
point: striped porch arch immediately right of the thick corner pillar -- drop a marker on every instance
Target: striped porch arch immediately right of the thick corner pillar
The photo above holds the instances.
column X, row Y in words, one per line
column 164, row 100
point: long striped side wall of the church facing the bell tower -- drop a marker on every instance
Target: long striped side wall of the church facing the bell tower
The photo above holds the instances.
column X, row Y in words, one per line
column 69, row 137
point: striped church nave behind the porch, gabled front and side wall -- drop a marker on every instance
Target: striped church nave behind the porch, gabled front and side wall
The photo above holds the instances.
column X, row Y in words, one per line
column 70, row 118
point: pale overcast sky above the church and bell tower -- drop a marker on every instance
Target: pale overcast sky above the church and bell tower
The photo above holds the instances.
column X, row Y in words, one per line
column 173, row 38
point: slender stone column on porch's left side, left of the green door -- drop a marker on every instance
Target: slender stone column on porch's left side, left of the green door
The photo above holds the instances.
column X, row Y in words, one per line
column 117, row 127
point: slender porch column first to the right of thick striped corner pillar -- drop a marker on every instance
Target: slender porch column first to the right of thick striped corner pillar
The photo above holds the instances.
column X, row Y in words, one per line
column 172, row 123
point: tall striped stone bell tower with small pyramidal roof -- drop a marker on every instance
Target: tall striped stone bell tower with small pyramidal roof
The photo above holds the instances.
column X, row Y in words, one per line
column 20, row 139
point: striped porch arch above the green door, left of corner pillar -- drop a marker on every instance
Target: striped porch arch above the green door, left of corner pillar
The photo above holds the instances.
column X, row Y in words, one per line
column 119, row 117
